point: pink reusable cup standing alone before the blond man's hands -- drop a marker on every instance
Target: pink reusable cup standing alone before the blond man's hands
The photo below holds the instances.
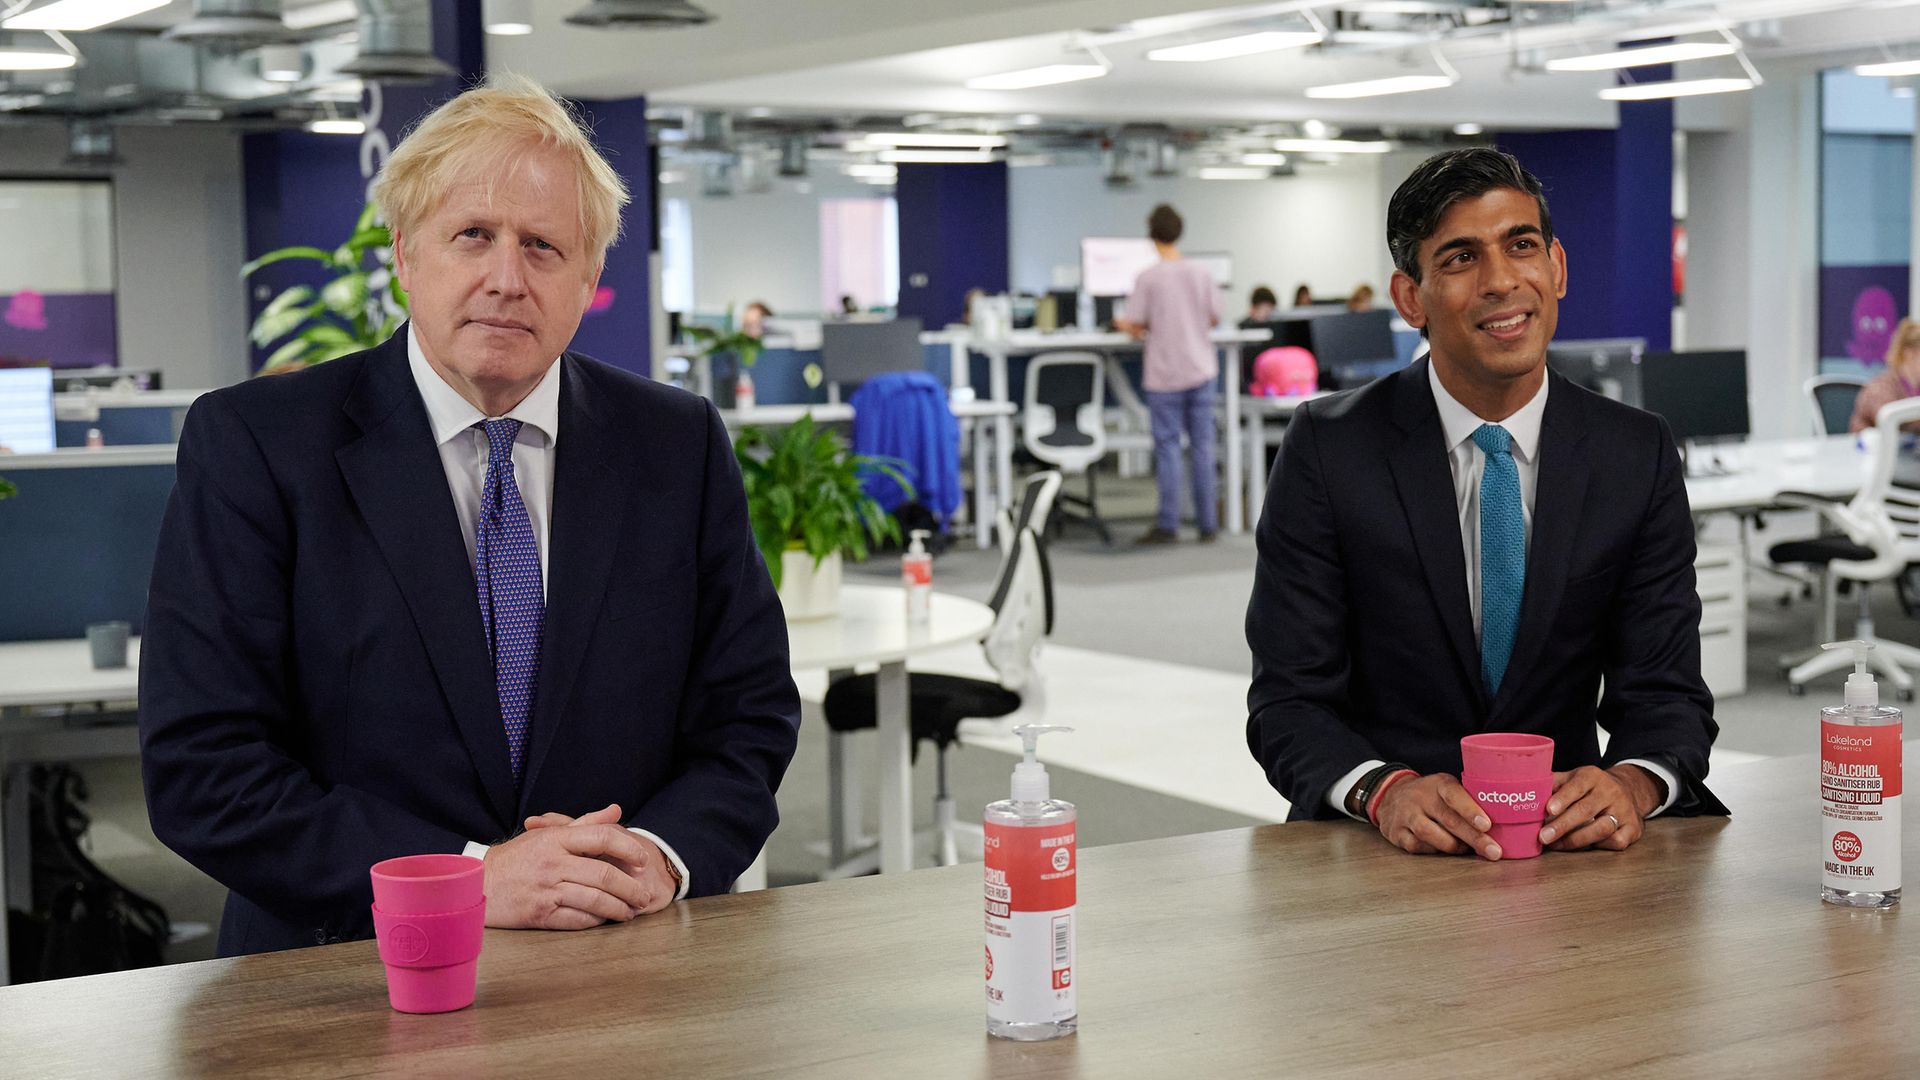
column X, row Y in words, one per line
column 429, row 916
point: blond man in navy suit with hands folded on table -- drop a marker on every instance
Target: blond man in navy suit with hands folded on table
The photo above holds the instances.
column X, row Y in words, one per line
column 466, row 591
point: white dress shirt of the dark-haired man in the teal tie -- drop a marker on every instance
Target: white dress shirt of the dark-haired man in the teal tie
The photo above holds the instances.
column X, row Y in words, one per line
column 1470, row 462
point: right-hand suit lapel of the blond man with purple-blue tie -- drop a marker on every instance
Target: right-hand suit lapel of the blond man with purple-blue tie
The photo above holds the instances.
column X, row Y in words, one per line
column 588, row 510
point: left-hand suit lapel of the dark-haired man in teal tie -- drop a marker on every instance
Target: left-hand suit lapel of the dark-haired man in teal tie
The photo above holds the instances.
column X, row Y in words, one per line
column 1426, row 485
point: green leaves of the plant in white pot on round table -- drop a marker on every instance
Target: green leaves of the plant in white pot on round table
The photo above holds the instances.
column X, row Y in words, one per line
column 804, row 495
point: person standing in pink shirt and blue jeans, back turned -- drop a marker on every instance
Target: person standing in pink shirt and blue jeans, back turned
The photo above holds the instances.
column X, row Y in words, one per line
column 1174, row 307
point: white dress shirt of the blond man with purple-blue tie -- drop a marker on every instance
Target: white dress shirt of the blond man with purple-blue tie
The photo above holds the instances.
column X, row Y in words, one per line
column 464, row 454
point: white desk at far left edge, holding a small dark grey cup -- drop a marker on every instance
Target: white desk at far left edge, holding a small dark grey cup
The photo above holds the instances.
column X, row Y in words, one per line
column 37, row 675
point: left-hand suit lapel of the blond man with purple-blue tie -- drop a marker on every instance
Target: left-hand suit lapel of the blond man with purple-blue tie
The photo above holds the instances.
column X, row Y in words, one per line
column 396, row 479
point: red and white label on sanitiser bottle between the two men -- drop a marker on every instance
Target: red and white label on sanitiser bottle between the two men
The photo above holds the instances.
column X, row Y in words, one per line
column 1030, row 923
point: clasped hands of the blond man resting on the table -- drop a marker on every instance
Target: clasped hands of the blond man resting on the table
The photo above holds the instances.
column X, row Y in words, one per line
column 571, row 873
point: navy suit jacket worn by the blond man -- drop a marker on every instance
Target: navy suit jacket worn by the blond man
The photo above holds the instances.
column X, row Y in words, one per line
column 316, row 687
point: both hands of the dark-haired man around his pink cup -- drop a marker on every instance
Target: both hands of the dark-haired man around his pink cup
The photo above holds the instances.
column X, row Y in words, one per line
column 1591, row 808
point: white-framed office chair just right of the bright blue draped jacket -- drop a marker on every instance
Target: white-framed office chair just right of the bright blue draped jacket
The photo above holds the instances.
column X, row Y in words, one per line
column 1063, row 424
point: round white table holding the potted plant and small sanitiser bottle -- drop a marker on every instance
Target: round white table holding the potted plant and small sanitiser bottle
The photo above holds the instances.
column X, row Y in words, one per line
column 873, row 629
